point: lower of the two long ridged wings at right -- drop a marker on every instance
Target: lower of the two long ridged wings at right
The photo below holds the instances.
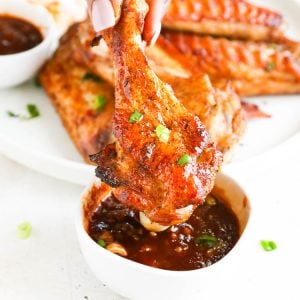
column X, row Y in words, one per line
column 254, row 68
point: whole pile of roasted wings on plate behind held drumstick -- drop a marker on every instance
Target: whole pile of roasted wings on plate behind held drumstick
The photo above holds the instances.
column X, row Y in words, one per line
column 209, row 52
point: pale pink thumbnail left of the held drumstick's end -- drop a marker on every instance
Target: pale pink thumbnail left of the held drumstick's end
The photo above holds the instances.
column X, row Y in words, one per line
column 103, row 15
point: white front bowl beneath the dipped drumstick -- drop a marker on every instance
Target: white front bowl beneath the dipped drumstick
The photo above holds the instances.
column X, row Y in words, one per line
column 140, row 282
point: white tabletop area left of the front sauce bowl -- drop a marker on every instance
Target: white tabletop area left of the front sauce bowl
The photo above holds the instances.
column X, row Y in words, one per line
column 49, row 264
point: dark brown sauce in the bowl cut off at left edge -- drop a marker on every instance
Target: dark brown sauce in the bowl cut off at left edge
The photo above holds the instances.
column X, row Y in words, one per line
column 17, row 35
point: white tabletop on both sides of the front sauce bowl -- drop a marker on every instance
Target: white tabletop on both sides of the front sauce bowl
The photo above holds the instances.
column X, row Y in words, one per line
column 49, row 264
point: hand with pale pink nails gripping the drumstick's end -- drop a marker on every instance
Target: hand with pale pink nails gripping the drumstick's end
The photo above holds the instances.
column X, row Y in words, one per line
column 103, row 15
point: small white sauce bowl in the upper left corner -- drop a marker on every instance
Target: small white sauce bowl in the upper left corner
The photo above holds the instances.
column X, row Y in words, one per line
column 19, row 67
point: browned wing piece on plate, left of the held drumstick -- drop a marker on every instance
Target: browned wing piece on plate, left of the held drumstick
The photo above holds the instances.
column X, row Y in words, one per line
column 72, row 97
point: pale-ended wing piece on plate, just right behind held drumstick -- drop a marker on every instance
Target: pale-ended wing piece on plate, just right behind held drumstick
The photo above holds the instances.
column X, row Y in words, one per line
column 220, row 110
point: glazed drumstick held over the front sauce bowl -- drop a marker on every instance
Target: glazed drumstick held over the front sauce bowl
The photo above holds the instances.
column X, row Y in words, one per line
column 144, row 169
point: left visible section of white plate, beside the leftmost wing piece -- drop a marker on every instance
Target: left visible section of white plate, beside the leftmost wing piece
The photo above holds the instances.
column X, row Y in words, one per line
column 41, row 143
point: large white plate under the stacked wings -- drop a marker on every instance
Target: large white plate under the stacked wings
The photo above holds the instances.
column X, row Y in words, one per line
column 43, row 145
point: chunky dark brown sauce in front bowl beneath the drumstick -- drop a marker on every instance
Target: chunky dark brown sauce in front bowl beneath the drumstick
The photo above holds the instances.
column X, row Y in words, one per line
column 209, row 234
